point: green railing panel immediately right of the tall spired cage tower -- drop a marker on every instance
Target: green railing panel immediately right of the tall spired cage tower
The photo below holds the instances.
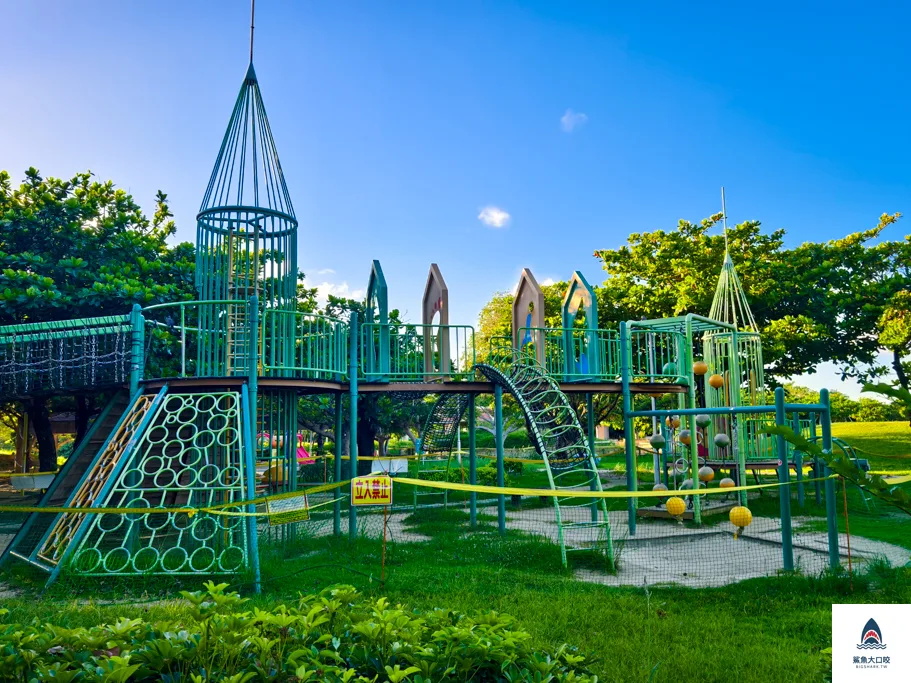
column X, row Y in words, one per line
column 305, row 345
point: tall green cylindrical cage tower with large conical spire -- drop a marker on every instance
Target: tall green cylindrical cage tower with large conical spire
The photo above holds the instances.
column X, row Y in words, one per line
column 246, row 236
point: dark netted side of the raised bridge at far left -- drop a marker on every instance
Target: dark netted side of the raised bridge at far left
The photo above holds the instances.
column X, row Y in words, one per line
column 39, row 358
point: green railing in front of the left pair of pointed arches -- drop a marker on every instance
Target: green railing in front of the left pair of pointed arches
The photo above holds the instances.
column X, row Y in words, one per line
column 416, row 353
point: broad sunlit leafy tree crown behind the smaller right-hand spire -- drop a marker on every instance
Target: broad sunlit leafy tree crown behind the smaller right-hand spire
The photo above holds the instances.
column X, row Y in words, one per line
column 816, row 302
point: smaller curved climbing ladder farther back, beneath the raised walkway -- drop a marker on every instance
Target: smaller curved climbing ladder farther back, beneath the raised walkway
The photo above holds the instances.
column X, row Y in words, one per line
column 437, row 439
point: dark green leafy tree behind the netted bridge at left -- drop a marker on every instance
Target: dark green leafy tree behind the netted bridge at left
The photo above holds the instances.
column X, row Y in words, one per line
column 78, row 248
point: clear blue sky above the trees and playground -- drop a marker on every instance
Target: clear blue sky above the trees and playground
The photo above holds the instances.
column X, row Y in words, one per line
column 398, row 123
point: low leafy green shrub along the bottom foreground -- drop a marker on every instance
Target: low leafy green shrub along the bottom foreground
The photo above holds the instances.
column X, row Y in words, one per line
column 338, row 635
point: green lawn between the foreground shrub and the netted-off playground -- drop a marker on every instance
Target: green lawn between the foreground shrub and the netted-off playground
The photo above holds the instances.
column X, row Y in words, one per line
column 767, row 629
